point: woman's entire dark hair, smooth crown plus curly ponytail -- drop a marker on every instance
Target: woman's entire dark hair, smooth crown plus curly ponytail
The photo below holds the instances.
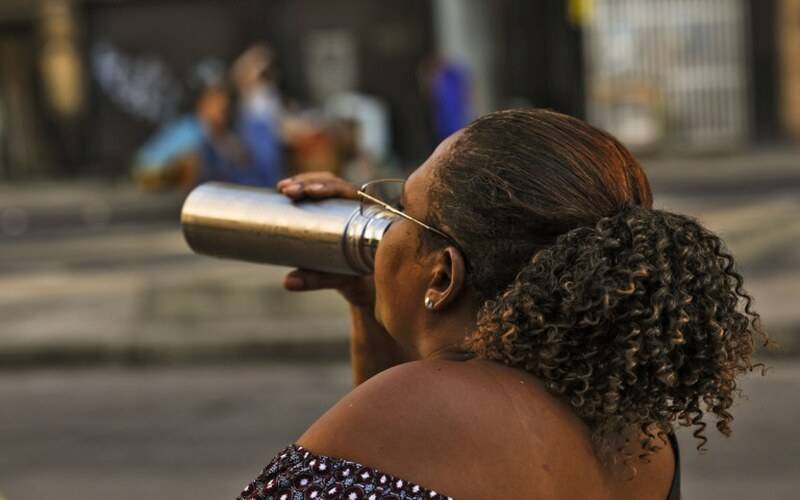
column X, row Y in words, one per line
column 636, row 317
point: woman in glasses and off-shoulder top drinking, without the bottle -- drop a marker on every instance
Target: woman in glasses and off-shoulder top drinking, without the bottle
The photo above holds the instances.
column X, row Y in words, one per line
column 533, row 329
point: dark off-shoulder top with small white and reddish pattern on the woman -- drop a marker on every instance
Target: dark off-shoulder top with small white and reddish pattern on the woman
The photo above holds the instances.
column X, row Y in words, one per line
column 297, row 474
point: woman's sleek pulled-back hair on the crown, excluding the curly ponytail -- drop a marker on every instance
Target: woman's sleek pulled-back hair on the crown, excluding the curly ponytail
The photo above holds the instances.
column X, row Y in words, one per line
column 515, row 180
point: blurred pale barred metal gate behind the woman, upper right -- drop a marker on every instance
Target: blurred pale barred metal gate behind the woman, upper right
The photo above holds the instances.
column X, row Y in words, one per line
column 669, row 73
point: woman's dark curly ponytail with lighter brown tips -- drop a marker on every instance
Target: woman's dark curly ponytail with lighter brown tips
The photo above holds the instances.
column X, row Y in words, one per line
column 639, row 322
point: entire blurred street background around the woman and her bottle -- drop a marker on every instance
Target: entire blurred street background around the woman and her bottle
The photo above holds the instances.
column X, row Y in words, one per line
column 131, row 368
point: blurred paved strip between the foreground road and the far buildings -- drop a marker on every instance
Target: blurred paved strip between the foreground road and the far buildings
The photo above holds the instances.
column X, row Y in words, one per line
column 98, row 273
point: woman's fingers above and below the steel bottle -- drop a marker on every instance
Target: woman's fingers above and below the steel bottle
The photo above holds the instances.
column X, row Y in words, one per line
column 359, row 291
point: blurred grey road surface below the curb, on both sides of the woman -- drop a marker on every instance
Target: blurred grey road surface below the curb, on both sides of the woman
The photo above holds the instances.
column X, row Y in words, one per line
column 203, row 431
